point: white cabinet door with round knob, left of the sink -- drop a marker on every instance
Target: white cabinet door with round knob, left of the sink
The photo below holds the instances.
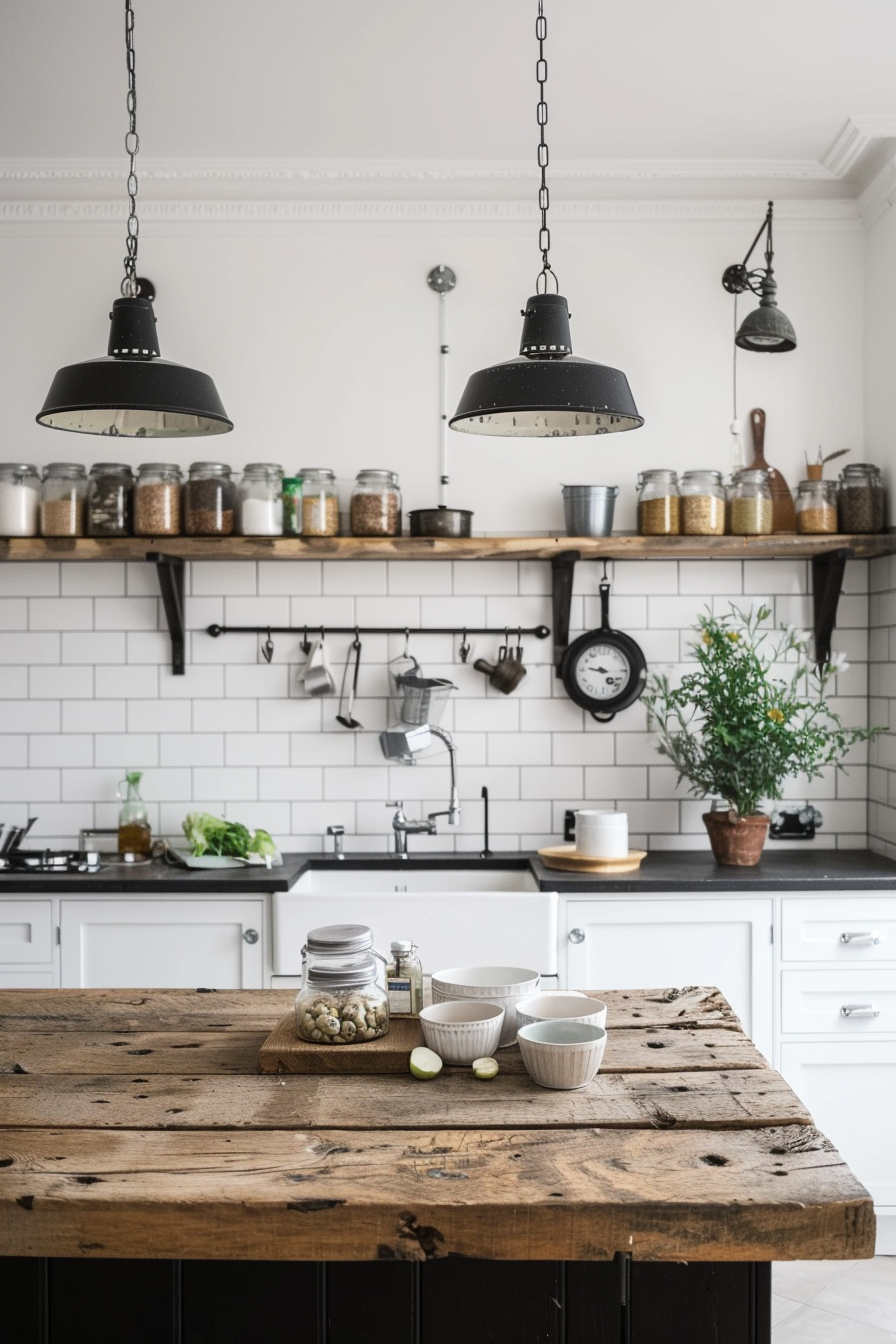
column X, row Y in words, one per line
column 163, row 944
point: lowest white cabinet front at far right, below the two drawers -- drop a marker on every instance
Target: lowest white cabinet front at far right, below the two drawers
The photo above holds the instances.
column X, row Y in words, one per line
column 850, row 1089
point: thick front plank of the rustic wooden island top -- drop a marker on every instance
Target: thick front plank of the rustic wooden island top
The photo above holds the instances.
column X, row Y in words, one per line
column 577, row 1195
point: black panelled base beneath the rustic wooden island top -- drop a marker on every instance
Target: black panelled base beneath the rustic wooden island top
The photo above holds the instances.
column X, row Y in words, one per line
column 447, row 1302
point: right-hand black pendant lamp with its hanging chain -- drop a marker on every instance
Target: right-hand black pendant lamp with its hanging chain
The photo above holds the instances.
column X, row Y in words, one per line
column 547, row 392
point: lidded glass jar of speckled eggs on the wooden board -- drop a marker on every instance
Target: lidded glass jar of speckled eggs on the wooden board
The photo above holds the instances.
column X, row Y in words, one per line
column 341, row 1001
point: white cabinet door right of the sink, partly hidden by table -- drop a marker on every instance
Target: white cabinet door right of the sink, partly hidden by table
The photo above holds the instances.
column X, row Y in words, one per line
column 635, row 944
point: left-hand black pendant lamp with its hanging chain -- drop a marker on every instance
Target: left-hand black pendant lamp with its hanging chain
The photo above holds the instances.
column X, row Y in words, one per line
column 132, row 392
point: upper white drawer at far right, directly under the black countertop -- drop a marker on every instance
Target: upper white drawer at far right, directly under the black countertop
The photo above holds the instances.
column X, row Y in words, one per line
column 843, row 929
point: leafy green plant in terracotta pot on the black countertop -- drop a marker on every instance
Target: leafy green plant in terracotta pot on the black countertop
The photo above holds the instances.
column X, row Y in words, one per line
column 752, row 716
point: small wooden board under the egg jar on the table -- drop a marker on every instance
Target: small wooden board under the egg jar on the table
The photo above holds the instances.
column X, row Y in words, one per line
column 284, row 1053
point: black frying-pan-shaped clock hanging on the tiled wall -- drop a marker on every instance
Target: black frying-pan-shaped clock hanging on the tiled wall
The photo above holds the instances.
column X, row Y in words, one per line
column 605, row 670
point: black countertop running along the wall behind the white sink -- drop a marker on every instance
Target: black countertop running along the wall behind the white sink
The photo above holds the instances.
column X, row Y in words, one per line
column 672, row 872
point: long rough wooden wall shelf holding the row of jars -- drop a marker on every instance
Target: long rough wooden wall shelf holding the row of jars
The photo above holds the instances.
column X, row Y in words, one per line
column 627, row 548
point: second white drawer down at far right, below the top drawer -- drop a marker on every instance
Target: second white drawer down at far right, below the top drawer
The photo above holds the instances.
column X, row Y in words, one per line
column 815, row 1002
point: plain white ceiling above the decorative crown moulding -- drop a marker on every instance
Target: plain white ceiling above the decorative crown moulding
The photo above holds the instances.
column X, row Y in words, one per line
column 687, row 85
